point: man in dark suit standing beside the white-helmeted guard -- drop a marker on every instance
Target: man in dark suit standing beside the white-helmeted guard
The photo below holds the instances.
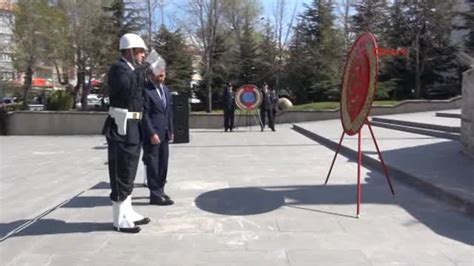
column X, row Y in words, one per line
column 158, row 129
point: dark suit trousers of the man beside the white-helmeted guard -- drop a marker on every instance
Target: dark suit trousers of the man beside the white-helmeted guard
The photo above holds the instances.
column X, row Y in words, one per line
column 155, row 158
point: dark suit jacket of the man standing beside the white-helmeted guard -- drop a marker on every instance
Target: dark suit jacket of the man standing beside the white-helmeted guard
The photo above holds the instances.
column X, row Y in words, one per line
column 157, row 119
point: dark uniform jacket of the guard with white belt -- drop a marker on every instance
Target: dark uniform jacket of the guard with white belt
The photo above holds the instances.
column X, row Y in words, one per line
column 125, row 91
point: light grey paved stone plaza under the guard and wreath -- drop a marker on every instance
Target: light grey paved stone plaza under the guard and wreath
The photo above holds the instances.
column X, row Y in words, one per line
column 242, row 198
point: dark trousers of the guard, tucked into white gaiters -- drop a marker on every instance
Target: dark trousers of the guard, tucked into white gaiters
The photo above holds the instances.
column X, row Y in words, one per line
column 123, row 162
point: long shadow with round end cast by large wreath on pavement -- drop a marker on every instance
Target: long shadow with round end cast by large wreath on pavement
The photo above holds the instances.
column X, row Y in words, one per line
column 257, row 200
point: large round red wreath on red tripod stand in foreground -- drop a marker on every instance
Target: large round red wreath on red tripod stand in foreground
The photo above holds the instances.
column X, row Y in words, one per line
column 358, row 89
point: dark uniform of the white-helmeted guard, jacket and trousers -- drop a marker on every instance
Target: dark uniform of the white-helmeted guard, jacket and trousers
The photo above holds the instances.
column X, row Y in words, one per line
column 125, row 92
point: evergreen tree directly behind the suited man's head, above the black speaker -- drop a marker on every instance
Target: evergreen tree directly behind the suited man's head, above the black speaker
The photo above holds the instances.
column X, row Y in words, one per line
column 171, row 46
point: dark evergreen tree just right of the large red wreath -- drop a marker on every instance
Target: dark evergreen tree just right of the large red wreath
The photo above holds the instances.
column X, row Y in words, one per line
column 424, row 28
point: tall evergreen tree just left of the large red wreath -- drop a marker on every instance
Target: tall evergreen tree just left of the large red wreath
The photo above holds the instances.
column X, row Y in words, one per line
column 315, row 61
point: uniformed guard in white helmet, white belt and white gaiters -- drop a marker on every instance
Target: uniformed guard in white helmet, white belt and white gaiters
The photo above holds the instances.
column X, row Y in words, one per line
column 122, row 130
